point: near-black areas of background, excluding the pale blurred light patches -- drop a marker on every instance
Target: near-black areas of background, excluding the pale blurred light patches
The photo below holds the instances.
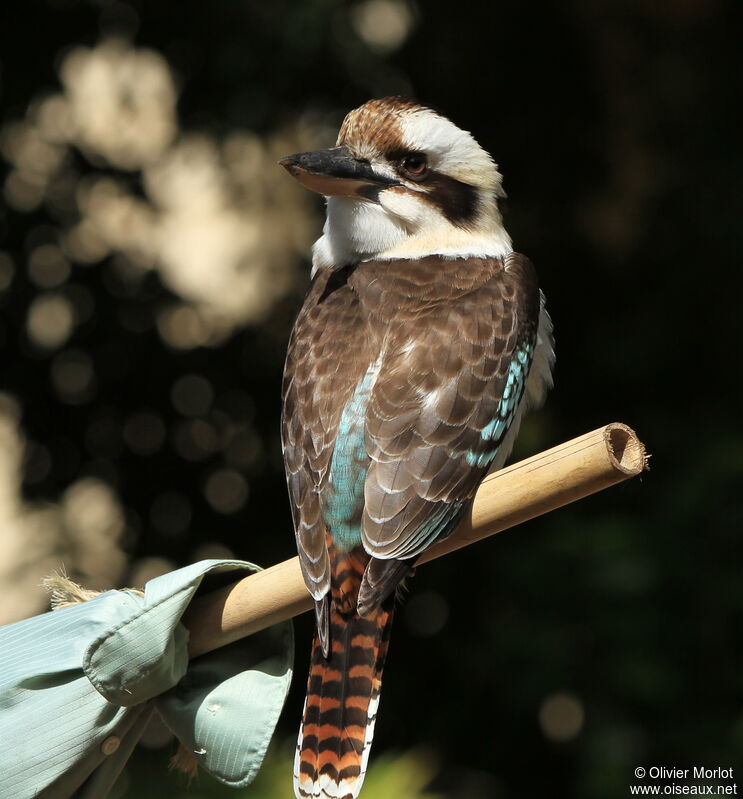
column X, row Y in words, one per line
column 616, row 128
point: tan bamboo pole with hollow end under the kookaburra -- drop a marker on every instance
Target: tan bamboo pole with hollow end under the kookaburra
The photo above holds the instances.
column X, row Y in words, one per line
column 534, row 486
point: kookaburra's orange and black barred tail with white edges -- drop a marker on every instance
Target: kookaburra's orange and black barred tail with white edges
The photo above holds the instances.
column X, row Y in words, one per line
column 341, row 705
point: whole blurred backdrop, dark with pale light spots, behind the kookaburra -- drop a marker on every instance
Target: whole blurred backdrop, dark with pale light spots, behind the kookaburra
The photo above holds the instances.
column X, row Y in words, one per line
column 550, row 661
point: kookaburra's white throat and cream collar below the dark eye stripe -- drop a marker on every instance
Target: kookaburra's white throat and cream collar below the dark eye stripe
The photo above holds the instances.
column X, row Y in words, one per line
column 401, row 227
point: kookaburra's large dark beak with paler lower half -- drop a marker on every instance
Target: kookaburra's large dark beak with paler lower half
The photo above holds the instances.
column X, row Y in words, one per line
column 336, row 173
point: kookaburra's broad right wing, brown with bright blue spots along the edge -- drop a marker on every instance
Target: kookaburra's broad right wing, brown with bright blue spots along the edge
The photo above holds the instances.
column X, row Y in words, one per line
column 448, row 390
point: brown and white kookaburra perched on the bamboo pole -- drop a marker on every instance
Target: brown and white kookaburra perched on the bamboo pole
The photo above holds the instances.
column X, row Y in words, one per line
column 421, row 342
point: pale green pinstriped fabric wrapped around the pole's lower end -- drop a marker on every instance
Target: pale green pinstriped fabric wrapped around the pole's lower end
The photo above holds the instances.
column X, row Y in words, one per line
column 71, row 679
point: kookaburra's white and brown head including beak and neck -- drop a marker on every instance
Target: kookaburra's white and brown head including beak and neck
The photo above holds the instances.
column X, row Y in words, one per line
column 403, row 182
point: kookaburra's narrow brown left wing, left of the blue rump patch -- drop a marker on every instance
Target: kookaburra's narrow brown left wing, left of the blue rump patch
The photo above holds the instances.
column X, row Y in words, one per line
column 319, row 378
